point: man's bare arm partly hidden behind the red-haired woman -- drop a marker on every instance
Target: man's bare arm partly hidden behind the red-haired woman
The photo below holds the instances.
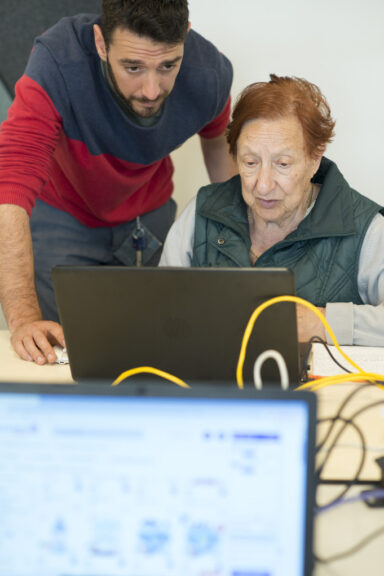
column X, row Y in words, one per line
column 219, row 163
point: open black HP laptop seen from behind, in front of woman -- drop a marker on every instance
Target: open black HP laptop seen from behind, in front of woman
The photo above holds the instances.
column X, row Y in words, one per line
column 187, row 321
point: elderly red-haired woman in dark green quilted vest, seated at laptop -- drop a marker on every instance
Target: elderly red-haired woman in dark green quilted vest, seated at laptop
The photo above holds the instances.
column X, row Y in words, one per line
column 291, row 207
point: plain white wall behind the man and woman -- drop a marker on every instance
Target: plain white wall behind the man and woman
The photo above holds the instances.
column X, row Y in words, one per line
column 337, row 44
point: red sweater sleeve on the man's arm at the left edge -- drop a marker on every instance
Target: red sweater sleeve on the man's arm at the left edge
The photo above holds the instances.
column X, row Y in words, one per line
column 27, row 143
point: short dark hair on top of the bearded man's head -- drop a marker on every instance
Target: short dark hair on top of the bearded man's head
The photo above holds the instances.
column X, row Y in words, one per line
column 164, row 21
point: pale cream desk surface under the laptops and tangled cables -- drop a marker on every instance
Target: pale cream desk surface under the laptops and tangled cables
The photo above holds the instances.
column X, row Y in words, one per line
column 336, row 530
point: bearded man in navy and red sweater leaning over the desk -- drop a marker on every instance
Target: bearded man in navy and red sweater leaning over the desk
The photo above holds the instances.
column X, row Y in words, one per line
column 84, row 154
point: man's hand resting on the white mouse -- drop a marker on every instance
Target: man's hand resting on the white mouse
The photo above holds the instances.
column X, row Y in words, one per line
column 34, row 341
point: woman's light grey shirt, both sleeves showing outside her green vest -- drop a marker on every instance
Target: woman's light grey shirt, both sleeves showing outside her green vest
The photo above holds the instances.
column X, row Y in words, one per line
column 353, row 324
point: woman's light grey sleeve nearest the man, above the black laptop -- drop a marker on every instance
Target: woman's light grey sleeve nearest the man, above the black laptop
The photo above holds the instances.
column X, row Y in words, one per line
column 178, row 246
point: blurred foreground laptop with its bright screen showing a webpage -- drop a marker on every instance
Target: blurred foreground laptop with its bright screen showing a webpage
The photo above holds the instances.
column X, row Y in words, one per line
column 155, row 481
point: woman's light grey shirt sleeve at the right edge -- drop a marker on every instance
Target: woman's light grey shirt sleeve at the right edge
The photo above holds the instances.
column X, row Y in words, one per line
column 363, row 325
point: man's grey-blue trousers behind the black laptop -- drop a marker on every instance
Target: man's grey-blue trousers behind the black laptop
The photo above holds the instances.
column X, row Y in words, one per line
column 60, row 239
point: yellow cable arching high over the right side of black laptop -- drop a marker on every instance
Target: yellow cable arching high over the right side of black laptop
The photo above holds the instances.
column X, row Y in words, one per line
column 256, row 314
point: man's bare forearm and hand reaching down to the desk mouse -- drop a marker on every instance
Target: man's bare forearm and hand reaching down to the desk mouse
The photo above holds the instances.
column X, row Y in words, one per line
column 31, row 337
